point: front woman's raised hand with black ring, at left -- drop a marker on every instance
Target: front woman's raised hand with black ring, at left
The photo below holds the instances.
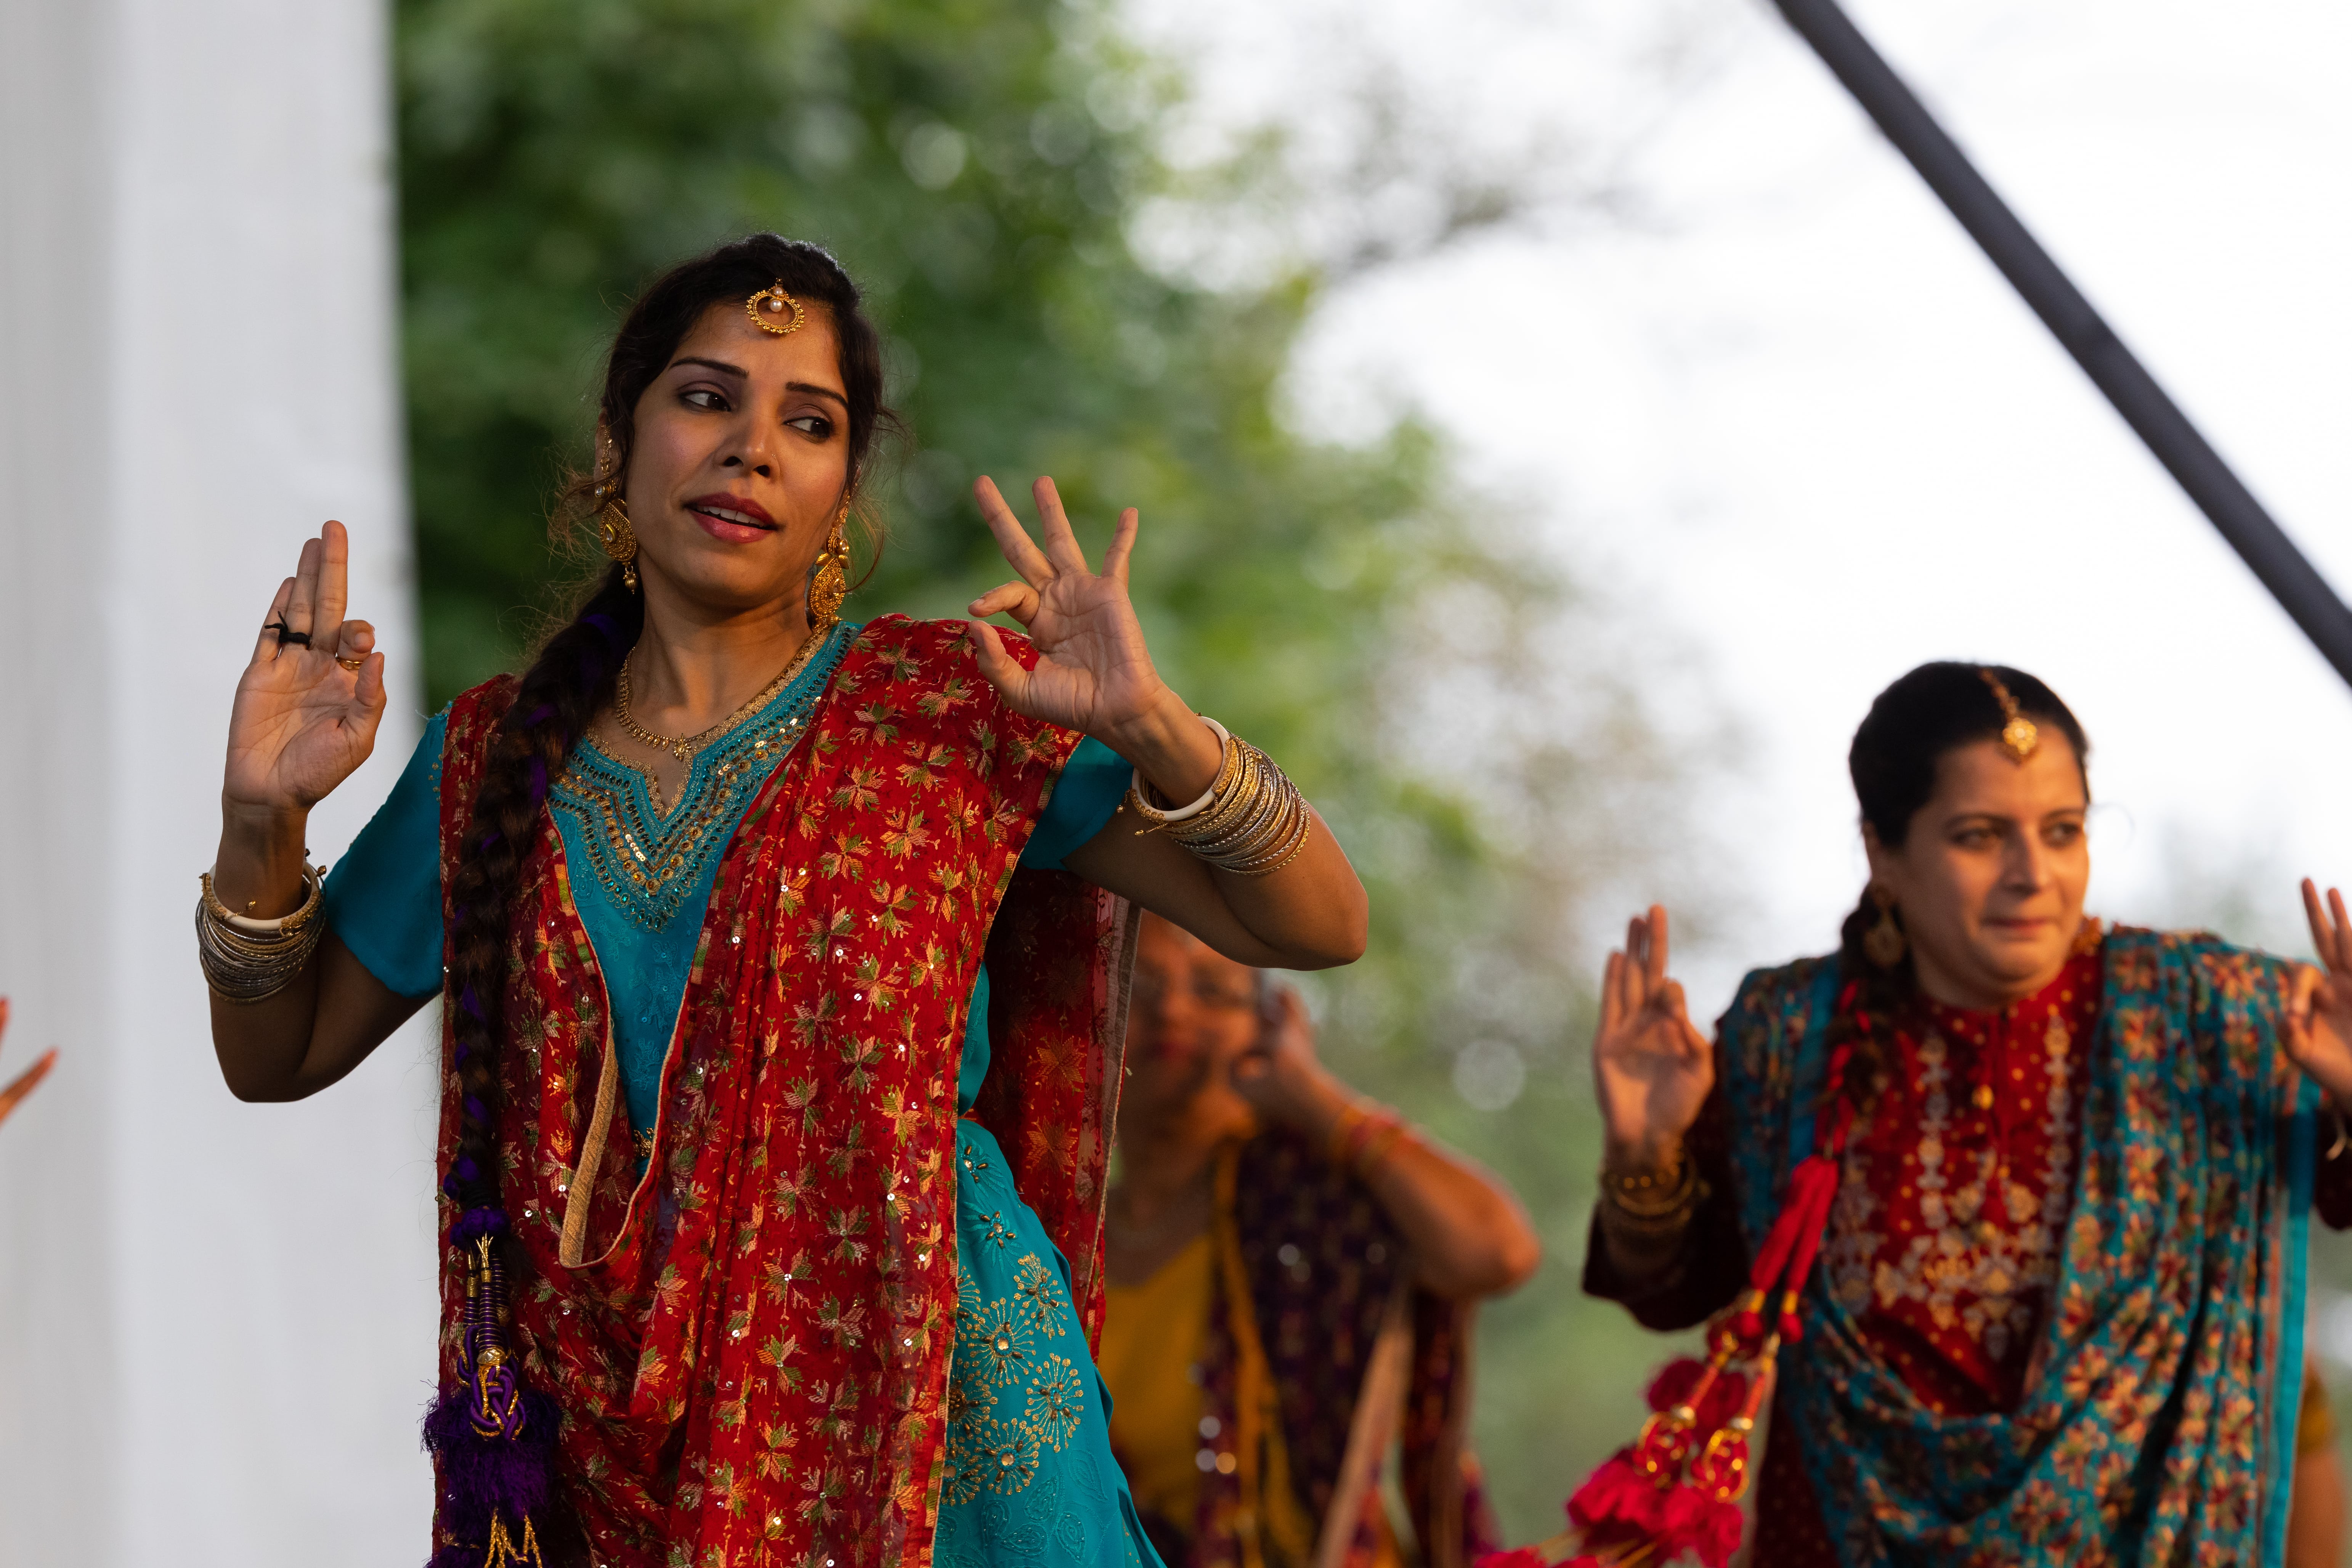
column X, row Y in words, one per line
column 307, row 716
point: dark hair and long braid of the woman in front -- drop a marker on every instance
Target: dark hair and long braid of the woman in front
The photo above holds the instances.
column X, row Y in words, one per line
column 575, row 671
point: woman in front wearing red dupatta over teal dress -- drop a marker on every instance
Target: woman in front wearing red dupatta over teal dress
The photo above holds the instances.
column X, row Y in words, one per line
column 782, row 970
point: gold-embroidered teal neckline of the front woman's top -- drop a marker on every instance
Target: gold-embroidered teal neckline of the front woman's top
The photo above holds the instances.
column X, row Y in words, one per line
column 648, row 862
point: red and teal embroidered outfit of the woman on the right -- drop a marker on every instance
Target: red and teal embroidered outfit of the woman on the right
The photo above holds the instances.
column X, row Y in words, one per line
column 2062, row 1294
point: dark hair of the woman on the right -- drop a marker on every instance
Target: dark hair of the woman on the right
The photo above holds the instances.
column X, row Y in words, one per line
column 1897, row 751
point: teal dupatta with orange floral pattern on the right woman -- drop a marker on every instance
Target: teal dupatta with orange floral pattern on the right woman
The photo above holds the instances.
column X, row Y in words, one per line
column 2160, row 1416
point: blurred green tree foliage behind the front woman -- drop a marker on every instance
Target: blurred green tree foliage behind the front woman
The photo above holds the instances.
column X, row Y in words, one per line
column 980, row 168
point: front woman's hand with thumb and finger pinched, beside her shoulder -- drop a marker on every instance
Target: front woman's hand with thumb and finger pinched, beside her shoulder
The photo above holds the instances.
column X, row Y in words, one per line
column 1093, row 669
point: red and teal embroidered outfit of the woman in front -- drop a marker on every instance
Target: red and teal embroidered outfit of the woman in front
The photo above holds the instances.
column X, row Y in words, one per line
column 841, row 1306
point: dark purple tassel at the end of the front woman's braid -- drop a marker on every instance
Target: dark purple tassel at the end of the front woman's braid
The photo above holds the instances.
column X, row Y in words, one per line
column 493, row 1438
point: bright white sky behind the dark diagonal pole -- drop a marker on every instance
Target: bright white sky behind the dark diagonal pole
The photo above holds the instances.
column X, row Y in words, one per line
column 1800, row 422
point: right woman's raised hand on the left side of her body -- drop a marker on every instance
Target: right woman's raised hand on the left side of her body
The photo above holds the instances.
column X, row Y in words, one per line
column 1650, row 1068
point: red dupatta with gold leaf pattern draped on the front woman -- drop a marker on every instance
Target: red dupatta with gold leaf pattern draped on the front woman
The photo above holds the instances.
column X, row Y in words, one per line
column 754, row 1346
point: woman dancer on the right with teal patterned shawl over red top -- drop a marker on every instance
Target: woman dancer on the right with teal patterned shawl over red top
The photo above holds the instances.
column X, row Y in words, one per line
column 2059, row 1184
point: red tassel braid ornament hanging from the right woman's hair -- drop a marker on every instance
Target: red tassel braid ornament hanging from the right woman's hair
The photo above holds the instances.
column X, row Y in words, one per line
column 1676, row 1492
